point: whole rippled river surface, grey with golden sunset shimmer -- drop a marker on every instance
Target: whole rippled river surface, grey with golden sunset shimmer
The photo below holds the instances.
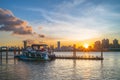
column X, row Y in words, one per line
column 63, row 69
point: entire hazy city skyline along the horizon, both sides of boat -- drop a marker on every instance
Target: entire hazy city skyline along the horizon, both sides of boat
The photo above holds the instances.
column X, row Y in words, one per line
column 98, row 44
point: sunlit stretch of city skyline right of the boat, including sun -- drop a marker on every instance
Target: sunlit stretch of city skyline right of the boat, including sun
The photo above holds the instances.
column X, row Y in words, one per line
column 99, row 45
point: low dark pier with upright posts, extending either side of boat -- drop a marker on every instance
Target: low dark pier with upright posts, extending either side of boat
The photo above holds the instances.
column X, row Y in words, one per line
column 73, row 56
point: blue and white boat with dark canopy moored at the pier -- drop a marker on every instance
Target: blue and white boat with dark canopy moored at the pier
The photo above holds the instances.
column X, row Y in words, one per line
column 36, row 52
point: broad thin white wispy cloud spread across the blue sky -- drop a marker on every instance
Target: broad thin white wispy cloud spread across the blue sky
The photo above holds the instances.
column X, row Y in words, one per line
column 79, row 19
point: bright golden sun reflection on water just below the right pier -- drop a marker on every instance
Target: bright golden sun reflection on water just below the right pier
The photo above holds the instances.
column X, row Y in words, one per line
column 86, row 68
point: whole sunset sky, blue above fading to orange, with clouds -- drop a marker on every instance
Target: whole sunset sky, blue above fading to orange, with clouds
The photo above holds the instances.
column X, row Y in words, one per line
column 49, row 21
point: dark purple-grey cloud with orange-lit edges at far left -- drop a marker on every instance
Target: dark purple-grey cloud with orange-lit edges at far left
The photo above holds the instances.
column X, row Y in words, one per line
column 8, row 22
